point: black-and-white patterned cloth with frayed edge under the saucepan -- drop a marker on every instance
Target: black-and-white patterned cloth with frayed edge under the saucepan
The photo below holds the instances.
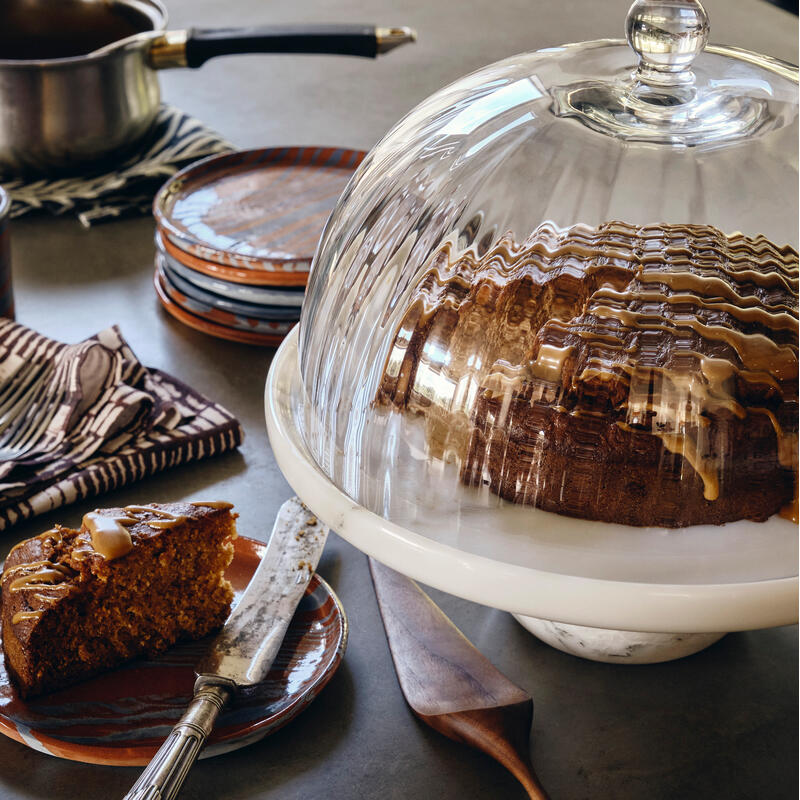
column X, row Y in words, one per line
column 175, row 141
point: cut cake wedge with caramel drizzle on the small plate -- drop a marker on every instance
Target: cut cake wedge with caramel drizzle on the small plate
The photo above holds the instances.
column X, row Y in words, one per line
column 131, row 581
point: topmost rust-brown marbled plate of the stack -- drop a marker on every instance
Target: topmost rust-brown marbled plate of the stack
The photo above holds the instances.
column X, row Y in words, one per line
column 259, row 210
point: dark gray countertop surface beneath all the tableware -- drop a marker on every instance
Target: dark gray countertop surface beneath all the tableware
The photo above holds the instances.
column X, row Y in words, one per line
column 722, row 723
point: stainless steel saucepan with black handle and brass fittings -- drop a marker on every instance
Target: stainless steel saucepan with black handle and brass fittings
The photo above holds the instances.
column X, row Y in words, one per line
column 78, row 81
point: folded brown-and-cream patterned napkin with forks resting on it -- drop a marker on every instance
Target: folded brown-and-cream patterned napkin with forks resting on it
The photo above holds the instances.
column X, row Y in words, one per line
column 106, row 420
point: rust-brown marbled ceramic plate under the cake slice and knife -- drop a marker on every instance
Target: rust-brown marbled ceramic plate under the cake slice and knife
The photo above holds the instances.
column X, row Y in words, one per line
column 122, row 716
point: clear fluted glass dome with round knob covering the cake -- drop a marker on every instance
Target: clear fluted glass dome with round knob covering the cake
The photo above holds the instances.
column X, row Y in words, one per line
column 562, row 291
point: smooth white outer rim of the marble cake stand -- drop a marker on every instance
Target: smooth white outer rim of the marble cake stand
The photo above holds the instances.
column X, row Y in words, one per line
column 577, row 600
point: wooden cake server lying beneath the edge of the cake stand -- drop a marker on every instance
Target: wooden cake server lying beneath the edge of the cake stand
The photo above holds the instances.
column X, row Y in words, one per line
column 448, row 683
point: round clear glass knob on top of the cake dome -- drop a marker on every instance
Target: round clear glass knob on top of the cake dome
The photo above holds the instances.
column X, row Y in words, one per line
column 667, row 36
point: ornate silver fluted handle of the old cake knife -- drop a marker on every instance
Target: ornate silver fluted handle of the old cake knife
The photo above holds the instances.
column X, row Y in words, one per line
column 164, row 775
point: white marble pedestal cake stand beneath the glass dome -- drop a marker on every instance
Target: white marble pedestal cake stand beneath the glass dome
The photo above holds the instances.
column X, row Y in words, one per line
column 619, row 594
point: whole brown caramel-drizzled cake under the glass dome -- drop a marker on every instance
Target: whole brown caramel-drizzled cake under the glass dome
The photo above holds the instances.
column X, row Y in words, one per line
column 640, row 375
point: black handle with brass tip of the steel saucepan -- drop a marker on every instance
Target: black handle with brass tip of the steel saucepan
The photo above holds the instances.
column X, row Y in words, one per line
column 367, row 41
